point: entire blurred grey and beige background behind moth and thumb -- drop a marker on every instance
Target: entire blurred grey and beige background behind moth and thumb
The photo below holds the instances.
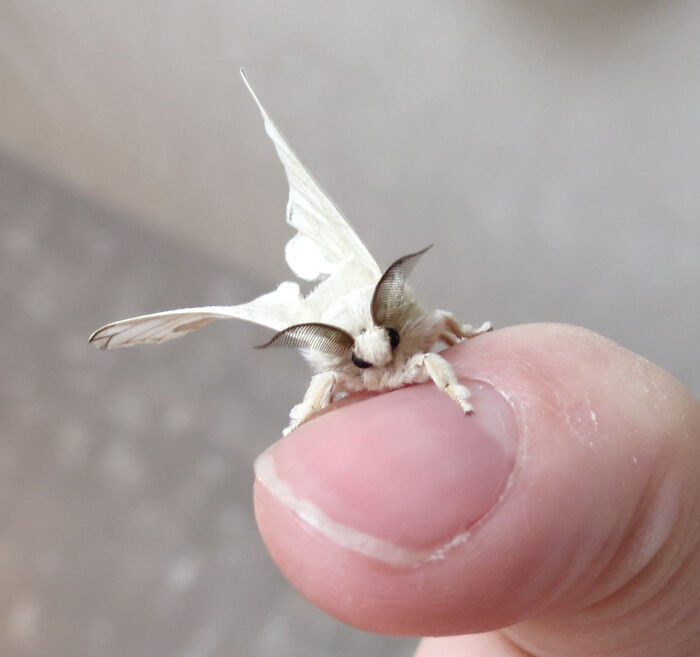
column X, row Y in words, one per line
column 550, row 149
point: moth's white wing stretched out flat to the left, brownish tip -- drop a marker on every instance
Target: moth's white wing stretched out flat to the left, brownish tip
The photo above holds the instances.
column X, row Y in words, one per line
column 276, row 309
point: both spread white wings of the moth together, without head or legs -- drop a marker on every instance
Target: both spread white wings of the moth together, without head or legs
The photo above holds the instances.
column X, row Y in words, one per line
column 324, row 247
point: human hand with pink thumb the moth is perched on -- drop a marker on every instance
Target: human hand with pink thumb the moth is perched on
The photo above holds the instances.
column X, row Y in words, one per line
column 562, row 519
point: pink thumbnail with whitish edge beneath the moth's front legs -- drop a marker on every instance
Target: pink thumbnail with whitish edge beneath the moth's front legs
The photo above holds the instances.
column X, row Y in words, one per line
column 399, row 477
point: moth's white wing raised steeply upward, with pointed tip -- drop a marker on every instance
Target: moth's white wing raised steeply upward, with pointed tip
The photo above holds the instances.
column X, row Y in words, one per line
column 324, row 244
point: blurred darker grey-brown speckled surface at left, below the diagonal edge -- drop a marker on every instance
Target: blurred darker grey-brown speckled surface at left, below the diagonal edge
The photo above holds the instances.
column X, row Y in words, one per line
column 126, row 477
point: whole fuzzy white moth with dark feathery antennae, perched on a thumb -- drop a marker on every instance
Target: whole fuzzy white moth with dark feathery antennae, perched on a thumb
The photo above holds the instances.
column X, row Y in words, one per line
column 359, row 328
